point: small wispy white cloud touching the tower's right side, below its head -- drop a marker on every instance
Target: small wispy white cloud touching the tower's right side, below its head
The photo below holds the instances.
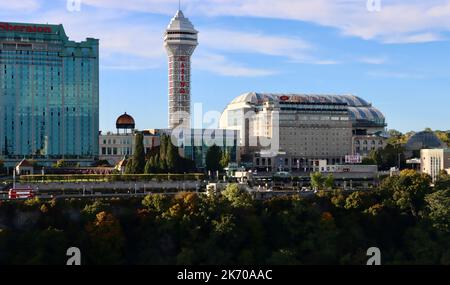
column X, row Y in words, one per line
column 221, row 65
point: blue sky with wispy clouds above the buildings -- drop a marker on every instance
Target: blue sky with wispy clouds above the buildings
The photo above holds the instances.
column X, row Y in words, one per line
column 398, row 58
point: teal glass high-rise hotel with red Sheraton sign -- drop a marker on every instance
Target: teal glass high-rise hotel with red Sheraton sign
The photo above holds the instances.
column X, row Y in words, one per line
column 49, row 93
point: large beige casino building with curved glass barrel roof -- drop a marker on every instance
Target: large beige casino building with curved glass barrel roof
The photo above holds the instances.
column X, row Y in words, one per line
column 297, row 131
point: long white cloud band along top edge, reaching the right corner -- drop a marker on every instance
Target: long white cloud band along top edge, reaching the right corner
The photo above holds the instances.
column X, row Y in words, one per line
column 408, row 21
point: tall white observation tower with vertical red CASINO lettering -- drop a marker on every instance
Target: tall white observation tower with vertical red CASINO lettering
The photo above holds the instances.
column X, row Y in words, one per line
column 180, row 41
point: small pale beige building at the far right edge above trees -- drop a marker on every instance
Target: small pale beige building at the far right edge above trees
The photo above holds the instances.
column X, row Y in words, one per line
column 433, row 161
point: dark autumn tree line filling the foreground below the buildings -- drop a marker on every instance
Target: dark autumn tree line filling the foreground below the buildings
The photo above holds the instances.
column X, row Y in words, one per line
column 406, row 218
